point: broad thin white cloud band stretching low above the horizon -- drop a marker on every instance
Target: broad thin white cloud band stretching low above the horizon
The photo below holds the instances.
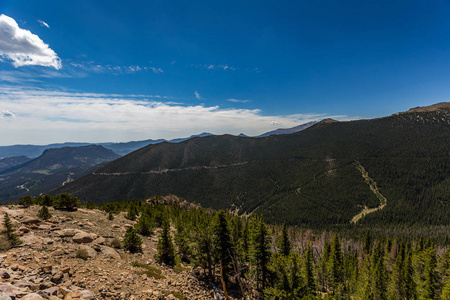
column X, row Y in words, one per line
column 43, row 116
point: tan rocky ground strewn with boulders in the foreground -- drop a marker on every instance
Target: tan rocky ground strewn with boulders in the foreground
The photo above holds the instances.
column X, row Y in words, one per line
column 47, row 265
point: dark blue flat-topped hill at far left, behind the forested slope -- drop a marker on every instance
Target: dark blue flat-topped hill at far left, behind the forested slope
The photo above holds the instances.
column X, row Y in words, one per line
column 50, row 170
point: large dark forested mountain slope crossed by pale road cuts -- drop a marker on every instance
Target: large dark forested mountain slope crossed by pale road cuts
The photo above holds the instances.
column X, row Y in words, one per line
column 310, row 177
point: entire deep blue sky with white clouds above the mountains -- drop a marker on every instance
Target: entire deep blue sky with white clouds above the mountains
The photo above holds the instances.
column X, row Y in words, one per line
column 100, row 71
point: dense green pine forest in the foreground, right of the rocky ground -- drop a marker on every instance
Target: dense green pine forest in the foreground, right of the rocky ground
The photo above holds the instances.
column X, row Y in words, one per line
column 248, row 258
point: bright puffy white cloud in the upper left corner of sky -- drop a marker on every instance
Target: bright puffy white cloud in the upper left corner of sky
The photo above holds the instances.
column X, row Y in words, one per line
column 23, row 47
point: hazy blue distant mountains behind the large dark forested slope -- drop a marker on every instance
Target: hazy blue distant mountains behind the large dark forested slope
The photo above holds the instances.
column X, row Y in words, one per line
column 61, row 163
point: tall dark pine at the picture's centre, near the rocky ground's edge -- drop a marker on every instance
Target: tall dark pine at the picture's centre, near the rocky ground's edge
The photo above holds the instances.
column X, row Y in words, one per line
column 222, row 244
